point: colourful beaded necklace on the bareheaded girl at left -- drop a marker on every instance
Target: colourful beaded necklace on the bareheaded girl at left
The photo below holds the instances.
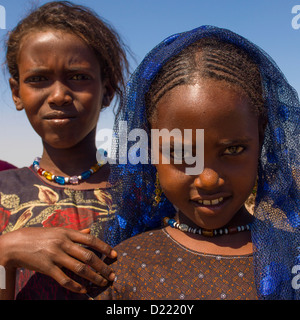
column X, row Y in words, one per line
column 65, row 180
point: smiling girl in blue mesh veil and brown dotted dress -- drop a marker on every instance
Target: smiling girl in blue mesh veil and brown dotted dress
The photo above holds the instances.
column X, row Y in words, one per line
column 212, row 246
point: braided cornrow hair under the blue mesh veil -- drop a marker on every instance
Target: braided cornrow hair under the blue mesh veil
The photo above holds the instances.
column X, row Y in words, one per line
column 213, row 59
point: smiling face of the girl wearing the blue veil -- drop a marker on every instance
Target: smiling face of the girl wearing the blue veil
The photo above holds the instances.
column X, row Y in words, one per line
column 231, row 150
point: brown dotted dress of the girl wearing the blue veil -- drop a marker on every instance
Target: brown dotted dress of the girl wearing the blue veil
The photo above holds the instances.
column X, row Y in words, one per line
column 153, row 265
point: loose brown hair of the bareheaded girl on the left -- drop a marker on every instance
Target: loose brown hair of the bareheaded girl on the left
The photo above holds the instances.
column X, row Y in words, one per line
column 84, row 23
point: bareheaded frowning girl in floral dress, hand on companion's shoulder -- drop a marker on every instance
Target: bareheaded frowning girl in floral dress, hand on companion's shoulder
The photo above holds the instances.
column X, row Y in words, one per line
column 66, row 64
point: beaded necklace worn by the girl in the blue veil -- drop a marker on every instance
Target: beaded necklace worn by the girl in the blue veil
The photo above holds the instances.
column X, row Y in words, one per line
column 207, row 233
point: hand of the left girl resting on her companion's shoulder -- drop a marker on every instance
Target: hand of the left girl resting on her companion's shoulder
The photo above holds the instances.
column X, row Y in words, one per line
column 47, row 250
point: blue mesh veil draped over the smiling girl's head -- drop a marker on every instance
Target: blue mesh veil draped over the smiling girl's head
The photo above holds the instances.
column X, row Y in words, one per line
column 275, row 231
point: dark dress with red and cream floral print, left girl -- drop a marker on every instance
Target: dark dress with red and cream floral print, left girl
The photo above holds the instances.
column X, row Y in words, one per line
column 28, row 201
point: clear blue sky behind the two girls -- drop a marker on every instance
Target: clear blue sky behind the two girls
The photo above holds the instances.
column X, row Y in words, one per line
column 142, row 24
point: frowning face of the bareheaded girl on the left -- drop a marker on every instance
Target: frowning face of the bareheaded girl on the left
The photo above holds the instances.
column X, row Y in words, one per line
column 60, row 87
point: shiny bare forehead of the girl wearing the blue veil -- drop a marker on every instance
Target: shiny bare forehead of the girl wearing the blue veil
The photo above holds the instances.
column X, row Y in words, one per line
column 204, row 105
